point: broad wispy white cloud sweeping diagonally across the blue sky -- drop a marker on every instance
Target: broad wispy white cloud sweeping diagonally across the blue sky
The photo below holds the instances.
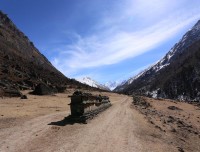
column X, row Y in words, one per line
column 114, row 40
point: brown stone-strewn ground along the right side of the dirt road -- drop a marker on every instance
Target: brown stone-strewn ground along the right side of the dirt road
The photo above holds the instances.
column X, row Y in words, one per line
column 179, row 122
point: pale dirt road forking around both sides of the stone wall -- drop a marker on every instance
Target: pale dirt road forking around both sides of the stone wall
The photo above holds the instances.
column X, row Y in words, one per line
column 118, row 129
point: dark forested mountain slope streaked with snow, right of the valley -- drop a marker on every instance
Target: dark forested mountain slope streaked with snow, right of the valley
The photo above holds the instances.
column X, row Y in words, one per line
column 176, row 76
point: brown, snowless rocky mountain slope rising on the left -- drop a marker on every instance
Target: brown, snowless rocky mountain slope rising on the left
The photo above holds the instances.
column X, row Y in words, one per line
column 22, row 66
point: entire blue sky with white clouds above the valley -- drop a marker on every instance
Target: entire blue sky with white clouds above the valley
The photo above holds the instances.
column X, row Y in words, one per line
column 106, row 40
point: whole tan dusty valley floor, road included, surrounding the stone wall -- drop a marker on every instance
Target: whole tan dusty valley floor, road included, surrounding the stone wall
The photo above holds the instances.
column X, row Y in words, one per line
column 26, row 125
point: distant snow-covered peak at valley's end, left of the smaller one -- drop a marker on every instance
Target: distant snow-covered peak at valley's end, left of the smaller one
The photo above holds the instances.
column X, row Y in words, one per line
column 93, row 83
